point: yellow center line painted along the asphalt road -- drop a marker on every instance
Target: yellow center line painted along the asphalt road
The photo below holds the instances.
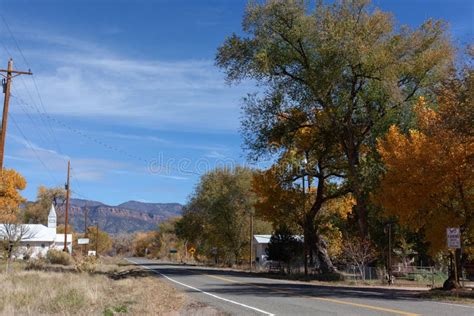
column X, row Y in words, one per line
column 370, row 307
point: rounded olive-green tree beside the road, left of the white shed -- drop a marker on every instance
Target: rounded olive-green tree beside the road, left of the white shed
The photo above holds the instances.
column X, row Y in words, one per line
column 218, row 214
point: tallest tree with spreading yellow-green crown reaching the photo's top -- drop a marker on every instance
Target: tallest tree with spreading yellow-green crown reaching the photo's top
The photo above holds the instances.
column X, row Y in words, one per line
column 346, row 67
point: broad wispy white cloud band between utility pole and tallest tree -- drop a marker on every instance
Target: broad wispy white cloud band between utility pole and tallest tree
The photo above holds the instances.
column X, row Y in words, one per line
column 79, row 78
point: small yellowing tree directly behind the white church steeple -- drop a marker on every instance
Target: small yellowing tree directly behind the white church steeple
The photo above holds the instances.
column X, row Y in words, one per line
column 37, row 212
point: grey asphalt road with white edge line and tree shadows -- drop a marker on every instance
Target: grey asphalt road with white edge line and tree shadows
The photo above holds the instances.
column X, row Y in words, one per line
column 243, row 294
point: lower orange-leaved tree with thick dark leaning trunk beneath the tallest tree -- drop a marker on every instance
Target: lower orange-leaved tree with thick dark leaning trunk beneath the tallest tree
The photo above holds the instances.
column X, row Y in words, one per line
column 282, row 201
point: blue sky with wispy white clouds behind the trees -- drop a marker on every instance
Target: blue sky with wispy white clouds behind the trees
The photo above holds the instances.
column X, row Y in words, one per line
column 127, row 91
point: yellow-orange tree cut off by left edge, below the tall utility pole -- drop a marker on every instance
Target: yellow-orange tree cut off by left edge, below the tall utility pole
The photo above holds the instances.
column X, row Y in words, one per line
column 11, row 182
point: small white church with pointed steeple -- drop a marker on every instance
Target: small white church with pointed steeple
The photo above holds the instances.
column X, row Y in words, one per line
column 39, row 238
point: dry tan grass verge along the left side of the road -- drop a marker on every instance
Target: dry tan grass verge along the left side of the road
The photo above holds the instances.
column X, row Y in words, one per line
column 67, row 293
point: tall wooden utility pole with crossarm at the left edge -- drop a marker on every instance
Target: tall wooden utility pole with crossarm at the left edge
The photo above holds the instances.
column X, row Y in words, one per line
column 6, row 82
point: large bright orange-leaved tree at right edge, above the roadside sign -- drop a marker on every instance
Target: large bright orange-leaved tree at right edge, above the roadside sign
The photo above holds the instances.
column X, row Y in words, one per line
column 429, row 179
